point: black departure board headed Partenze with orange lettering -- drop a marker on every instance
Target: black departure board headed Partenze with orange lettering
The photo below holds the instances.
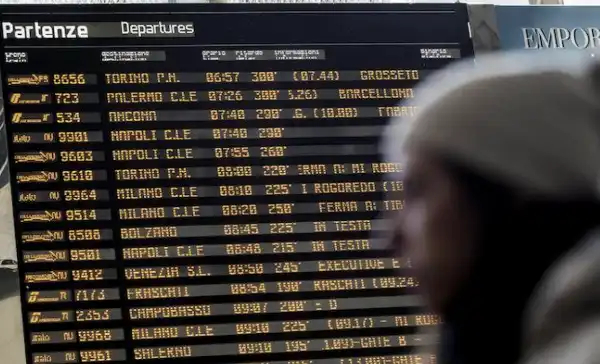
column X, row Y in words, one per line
column 202, row 184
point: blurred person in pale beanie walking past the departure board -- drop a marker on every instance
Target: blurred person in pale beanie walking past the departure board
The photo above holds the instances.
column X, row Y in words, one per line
column 501, row 216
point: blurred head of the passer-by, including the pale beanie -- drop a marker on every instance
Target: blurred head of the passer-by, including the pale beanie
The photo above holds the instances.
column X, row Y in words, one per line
column 499, row 169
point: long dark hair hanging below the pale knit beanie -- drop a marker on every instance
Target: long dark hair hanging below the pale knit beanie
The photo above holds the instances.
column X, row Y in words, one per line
column 519, row 240
